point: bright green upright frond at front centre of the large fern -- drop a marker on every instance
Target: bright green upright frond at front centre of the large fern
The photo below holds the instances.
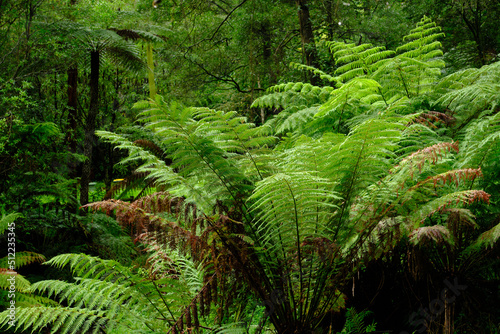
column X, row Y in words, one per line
column 291, row 207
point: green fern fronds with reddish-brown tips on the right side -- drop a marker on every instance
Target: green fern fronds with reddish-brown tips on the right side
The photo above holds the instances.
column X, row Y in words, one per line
column 405, row 200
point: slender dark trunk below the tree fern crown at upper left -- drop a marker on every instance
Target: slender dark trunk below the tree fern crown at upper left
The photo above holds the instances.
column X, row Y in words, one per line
column 90, row 127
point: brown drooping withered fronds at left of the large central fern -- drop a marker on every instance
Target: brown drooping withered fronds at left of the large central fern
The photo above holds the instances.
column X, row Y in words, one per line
column 197, row 235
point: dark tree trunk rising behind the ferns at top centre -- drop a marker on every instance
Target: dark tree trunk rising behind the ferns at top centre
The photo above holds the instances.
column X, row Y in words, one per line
column 307, row 37
